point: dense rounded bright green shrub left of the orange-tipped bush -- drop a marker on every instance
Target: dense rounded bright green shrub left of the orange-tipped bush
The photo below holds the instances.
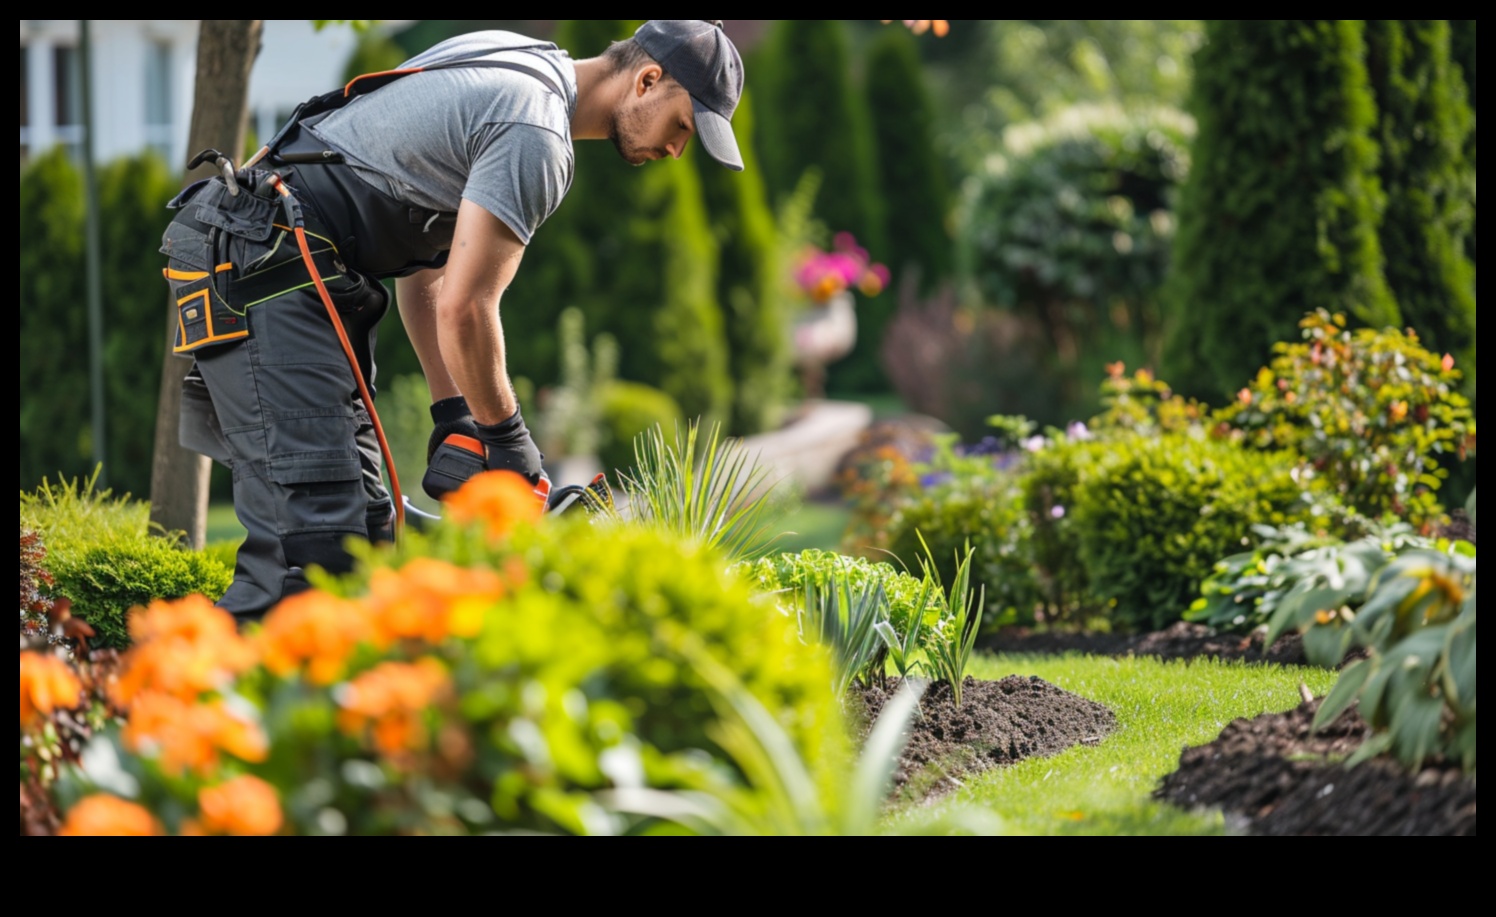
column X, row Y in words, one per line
column 1153, row 515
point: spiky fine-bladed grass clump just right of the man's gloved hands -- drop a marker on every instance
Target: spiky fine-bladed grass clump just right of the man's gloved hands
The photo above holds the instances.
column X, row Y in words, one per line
column 705, row 488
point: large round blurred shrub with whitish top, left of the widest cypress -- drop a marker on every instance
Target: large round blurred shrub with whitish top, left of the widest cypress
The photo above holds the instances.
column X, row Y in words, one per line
column 1073, row 228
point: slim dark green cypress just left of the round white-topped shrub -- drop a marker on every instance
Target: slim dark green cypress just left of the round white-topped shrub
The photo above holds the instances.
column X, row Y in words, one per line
column 910, row 176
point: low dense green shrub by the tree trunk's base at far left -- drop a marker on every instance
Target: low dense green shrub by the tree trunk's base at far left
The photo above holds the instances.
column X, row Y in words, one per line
column 108, row 581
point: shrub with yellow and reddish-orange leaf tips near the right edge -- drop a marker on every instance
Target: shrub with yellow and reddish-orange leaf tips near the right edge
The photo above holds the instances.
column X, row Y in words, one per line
column 1379, row 417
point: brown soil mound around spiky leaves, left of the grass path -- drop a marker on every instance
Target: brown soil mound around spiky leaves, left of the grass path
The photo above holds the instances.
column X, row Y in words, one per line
column 999, row 723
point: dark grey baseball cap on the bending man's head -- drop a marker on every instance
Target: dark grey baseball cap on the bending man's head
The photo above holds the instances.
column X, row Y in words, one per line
column 701, row 58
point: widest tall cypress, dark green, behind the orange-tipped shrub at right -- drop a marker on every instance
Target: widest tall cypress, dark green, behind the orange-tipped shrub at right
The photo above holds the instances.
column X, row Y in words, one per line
column 1280, row 213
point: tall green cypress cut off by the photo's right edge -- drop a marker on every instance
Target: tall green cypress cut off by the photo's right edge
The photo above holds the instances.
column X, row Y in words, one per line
column 1423, row 131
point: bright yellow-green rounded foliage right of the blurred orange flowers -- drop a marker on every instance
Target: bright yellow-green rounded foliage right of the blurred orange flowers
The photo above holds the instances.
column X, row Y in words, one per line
column 613, row 614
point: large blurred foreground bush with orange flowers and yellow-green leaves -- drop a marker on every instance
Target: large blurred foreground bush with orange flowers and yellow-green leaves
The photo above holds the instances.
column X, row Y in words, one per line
column 490, row 677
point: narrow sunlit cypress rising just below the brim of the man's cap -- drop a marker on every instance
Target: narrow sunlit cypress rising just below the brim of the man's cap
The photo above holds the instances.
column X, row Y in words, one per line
column 749, row 285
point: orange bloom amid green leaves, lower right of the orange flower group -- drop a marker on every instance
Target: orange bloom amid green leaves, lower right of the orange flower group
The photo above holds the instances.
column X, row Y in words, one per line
column 393, row 699
